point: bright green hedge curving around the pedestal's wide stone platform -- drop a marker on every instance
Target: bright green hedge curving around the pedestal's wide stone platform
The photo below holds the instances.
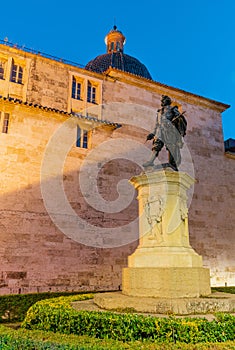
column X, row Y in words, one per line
column 57, row 315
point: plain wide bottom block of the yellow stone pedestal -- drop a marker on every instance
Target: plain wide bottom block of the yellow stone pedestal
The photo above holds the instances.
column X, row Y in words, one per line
column 157, row 282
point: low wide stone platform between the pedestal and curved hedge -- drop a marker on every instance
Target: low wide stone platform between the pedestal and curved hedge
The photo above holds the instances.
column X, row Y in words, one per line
column 216, row 302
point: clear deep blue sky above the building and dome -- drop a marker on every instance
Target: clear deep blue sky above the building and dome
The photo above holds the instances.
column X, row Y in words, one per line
column 188, row 44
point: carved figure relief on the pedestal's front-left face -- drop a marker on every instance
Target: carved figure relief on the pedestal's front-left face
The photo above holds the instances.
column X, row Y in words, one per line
column 154, row 209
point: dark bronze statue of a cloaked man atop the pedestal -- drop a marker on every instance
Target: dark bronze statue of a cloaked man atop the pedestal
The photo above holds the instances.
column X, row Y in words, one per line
column 169, row 131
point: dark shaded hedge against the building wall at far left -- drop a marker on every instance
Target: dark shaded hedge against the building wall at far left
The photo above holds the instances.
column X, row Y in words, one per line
column 13, row 308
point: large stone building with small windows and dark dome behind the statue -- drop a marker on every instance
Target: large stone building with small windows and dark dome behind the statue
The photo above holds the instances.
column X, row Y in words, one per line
column 69, row 138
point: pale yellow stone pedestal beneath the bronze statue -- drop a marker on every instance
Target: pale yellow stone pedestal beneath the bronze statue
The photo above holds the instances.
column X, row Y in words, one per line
column 164, row 265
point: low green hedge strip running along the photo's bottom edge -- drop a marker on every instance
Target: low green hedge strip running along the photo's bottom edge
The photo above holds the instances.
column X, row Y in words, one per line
column 38, row 340
